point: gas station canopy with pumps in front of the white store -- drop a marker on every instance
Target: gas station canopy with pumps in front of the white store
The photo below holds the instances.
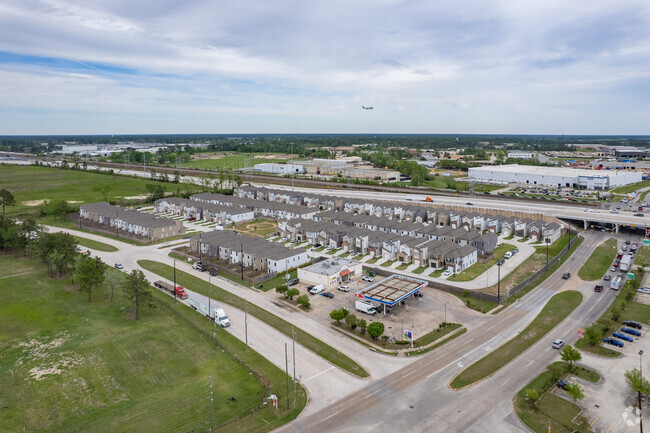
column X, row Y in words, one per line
column 392, row 291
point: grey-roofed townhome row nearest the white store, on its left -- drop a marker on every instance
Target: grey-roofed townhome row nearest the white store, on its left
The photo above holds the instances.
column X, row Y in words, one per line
column 251, row 251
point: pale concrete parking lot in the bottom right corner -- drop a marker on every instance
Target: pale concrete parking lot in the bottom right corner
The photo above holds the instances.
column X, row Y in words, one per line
column 607, row 404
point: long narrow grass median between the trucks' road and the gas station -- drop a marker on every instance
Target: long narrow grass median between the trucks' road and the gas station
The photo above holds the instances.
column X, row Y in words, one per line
column 325, row 351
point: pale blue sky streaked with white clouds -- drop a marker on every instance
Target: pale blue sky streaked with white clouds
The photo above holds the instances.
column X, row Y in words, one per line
column 238, row 66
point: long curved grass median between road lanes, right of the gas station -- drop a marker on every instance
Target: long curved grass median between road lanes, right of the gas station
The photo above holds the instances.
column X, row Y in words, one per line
column 557, row 308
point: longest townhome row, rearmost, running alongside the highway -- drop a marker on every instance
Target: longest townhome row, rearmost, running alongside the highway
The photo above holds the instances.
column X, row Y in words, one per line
column 536, row 230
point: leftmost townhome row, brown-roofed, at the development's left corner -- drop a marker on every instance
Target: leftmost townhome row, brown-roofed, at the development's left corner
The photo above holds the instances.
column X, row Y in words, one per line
column 132, row 222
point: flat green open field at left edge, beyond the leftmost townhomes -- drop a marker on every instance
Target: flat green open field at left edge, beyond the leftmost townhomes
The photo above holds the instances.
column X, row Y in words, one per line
column 30, row 185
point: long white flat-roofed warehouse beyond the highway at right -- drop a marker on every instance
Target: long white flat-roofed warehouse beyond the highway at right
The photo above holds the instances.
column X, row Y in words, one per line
column 553, row 176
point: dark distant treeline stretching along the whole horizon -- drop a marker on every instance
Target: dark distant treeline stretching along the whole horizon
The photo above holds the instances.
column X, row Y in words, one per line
column 300, row 143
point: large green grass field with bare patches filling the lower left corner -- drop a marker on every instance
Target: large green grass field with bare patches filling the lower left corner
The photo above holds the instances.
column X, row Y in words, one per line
column 111, row 373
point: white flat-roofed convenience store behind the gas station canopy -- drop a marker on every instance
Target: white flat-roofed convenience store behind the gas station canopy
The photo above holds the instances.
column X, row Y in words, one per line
column 331, row 272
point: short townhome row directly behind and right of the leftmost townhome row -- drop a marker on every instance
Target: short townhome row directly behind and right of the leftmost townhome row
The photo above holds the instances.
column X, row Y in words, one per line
column 217, row 213
